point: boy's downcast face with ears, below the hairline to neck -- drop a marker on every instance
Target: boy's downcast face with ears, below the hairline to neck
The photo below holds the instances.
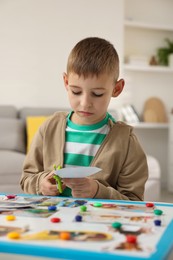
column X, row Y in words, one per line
column 89, row 97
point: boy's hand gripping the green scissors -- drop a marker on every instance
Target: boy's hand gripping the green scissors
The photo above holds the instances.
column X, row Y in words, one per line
column 48, row 185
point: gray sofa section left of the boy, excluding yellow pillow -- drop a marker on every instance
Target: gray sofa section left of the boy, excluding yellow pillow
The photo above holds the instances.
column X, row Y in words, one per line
column 13, row 143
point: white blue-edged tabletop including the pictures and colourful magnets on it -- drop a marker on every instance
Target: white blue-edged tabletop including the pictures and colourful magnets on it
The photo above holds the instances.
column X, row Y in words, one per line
column 68, row 228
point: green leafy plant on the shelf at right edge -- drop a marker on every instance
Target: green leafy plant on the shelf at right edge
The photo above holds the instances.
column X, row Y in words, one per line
column 164, row 52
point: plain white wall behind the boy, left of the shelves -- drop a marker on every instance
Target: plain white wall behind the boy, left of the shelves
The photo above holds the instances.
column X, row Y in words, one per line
column 36, row 37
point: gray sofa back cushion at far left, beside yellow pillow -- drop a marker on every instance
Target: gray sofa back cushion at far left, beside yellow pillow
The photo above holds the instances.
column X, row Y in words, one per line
column 12, row 134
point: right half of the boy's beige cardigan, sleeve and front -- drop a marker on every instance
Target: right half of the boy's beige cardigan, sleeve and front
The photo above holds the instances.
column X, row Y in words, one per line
column 124, row 168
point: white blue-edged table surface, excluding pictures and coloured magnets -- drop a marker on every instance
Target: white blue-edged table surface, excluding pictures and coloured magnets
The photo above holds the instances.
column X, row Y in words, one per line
column 161, row 236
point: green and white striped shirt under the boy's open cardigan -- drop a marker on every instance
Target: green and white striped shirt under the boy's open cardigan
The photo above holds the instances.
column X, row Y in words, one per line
column 83, row 141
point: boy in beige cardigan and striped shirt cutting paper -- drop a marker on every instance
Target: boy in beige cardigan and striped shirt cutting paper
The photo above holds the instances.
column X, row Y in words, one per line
column 88, row 135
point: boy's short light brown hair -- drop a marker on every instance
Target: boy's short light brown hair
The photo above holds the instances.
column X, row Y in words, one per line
column 93, row 56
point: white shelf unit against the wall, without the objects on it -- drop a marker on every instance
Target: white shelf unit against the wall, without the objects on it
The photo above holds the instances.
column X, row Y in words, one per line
column 146, row 26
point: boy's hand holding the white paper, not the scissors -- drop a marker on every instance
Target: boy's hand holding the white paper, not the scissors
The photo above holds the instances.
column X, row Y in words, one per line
column 82, row 187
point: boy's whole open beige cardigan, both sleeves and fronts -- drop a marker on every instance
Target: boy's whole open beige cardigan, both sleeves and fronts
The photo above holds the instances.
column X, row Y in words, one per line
column 121, row 158
